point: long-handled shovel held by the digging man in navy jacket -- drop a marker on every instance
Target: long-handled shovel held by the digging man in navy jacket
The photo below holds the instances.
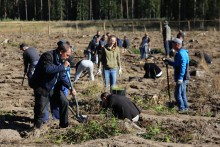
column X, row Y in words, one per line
column 80, row 118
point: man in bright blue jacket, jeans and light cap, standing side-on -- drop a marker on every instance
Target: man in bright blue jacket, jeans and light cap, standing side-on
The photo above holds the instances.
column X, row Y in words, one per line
column 181, row 73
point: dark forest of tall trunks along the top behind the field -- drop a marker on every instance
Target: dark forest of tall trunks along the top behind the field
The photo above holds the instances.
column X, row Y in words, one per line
column 109, row 9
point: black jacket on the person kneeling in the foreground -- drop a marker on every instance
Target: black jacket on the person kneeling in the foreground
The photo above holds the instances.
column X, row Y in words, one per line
column 122, row 107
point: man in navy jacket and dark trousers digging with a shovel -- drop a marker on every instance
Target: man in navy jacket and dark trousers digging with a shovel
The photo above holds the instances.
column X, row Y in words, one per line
column 49, row 76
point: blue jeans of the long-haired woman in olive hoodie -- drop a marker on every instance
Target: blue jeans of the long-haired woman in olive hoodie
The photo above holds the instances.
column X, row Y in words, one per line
column 110, row 74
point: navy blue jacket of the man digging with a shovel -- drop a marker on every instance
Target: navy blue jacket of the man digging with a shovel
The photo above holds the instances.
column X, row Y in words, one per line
column 48, row 71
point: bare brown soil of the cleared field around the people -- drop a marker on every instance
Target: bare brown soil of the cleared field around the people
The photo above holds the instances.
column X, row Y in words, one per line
column 200, row 127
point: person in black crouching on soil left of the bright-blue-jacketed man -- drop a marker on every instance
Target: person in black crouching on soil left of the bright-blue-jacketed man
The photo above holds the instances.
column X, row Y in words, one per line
column 151, row 69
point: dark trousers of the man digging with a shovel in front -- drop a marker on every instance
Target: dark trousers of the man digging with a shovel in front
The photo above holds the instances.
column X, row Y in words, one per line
column 41, row 103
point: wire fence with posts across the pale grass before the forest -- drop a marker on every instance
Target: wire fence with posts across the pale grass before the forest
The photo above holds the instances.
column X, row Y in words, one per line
column 80, row 27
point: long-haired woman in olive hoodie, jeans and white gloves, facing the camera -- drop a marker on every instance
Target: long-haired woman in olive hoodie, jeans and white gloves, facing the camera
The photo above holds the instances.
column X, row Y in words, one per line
column 110, row 61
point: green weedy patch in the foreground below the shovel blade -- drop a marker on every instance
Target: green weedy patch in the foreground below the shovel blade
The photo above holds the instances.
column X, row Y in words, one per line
column 89, row 131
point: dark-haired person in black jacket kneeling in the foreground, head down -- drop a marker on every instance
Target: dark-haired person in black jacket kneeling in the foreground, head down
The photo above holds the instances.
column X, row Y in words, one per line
column 121, row 106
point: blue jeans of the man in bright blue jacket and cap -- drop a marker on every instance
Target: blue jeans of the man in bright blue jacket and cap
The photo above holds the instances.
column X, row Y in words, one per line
column 180, row 95
